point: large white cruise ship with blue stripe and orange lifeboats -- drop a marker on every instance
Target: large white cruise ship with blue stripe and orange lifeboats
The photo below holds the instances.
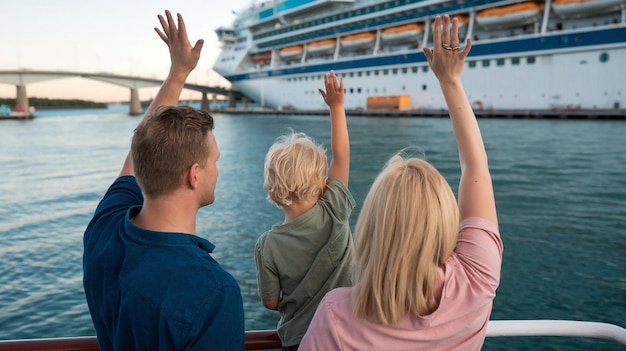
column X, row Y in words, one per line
column 544, row 54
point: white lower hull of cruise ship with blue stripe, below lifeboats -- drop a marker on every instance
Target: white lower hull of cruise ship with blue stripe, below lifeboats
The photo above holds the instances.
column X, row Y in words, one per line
column 569, row 68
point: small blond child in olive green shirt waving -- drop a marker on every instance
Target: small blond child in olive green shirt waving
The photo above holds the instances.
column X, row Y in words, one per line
column 312, row 251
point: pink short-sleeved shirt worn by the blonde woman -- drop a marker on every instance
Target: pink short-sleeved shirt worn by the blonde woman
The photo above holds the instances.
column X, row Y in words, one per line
column 470, row 279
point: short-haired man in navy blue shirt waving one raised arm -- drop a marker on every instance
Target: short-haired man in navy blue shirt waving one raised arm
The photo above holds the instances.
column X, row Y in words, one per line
column 150, row 282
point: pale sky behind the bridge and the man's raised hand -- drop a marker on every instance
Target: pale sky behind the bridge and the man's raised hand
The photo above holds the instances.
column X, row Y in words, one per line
column 112, row 36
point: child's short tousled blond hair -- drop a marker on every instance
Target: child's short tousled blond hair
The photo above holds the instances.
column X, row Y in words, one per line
column 295, row 169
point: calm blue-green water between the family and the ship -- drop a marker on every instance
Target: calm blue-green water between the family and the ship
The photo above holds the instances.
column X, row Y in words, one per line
column 560, row 190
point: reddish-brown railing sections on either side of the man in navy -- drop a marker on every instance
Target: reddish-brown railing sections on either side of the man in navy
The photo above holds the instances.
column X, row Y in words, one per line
column 255, row 340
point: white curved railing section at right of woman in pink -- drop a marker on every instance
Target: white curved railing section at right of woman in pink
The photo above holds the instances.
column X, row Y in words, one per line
column 550, row 327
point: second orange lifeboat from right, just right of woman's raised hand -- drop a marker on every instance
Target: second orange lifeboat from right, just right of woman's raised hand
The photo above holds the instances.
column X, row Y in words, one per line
column 509, row 16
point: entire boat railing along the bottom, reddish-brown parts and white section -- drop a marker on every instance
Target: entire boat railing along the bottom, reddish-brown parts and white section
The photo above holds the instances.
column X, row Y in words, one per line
column 268, row 339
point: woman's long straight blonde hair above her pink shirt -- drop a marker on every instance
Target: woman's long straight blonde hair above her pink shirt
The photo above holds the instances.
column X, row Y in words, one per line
column 406, row 230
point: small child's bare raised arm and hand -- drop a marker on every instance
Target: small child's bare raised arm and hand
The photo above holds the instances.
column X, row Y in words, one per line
column 340, row 142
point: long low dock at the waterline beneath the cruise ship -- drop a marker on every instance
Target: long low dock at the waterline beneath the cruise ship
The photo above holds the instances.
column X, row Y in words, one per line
column 566, row 114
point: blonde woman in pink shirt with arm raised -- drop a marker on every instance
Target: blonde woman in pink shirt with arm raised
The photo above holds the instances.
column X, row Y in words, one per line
column 427, row 265
